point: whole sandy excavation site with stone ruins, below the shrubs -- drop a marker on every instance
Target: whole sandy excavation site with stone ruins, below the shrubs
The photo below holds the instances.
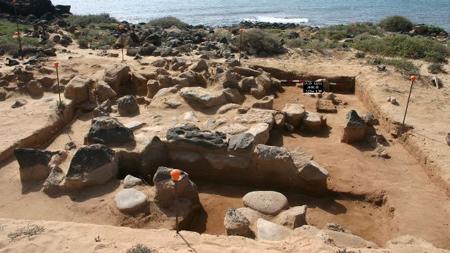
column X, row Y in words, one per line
column 195, row 153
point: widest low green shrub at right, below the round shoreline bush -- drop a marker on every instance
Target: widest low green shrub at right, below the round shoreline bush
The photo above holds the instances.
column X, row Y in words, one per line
column 404, row 46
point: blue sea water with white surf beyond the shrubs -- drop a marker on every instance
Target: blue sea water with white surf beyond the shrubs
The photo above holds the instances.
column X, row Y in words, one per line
column 227, row 12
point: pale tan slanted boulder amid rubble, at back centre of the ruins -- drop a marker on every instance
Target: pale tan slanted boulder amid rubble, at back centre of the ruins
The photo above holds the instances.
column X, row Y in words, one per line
column 203, row 97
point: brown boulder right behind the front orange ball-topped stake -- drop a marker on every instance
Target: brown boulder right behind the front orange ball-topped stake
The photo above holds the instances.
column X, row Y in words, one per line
column 166, row 193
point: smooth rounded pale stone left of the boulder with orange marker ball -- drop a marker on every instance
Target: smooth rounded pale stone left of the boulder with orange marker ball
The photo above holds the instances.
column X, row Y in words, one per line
column 130, row 200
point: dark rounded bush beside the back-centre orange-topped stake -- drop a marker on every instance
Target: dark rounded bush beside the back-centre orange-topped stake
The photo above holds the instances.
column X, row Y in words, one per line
column 259, row 42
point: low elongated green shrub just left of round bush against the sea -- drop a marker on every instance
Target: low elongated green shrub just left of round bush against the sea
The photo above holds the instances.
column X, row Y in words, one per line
column 339, row 32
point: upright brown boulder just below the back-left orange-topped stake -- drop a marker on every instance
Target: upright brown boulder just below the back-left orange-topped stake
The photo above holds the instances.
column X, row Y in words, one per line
column 118, row 78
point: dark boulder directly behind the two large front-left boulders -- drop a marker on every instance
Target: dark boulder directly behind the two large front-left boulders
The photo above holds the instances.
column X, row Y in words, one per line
column 109, row 131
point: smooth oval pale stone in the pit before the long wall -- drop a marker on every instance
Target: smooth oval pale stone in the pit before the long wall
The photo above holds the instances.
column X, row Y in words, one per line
column 266, row 202
